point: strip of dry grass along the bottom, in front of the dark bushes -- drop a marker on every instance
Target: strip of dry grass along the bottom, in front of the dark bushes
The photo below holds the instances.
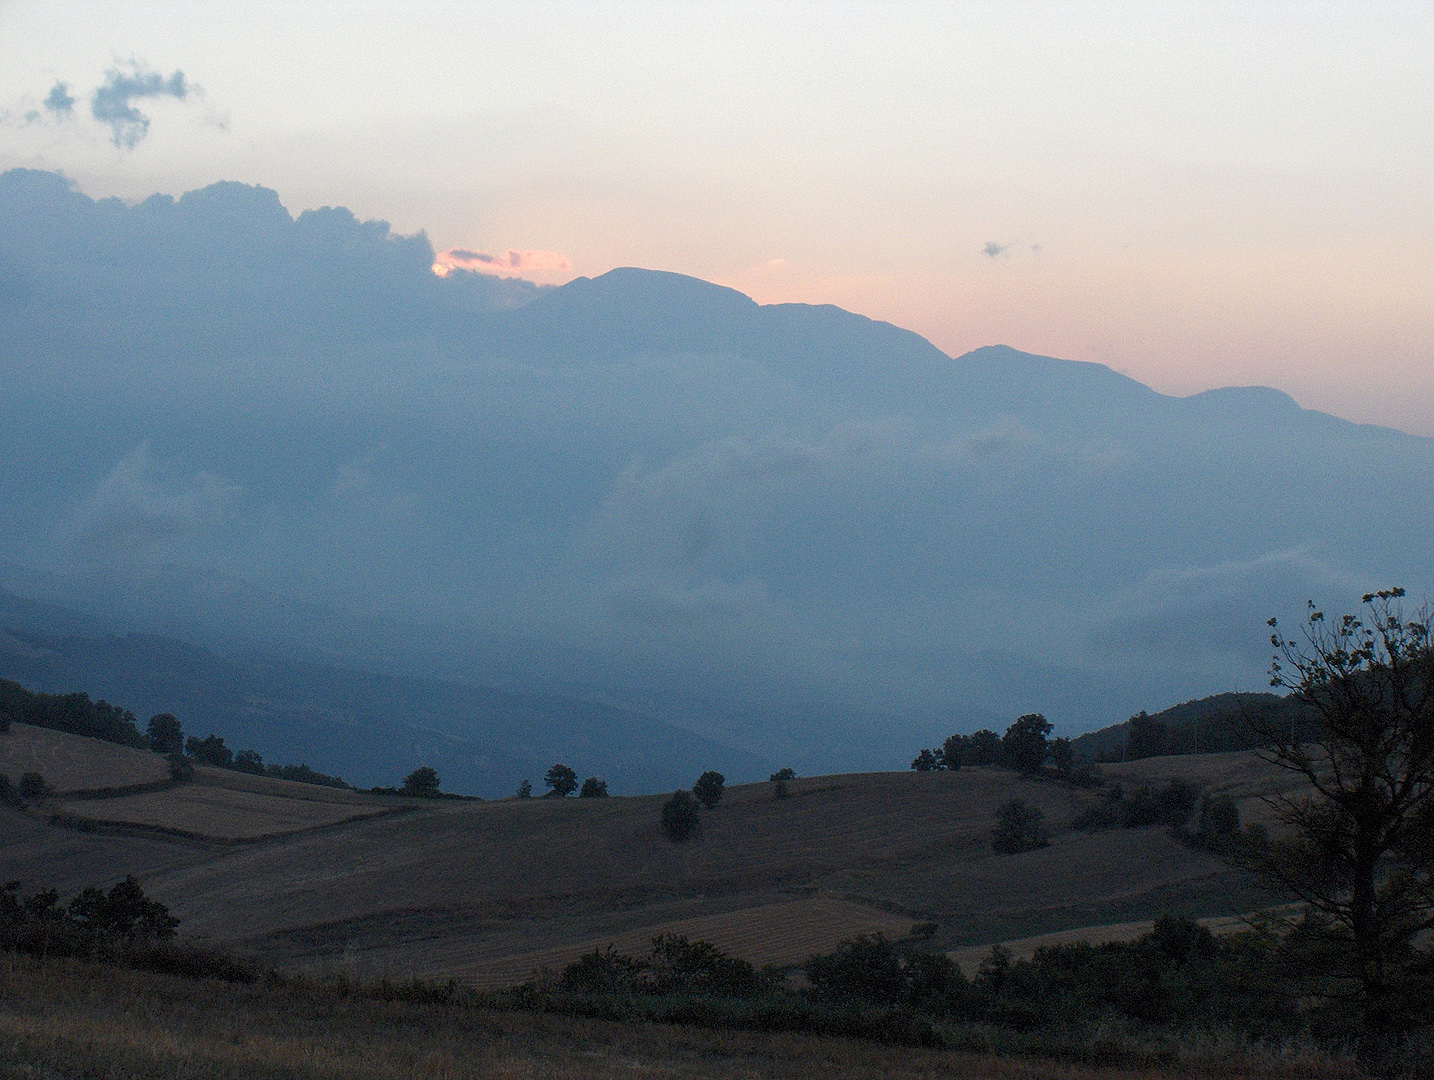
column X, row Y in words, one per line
column 64, row 1019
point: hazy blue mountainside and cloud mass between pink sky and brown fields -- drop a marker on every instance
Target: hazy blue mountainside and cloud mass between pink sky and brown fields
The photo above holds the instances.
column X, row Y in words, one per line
column 759, row 534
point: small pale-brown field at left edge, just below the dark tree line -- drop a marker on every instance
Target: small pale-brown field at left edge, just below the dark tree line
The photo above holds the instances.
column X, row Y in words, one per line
column 72, row 764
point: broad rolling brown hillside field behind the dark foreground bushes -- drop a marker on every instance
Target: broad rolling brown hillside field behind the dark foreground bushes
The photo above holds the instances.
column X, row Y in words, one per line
column 308, row 877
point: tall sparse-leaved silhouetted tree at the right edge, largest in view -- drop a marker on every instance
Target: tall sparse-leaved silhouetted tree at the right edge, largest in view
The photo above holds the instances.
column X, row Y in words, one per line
column 1359, row 844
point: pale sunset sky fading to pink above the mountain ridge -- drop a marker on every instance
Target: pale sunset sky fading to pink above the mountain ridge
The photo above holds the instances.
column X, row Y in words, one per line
column 1195, row 194
